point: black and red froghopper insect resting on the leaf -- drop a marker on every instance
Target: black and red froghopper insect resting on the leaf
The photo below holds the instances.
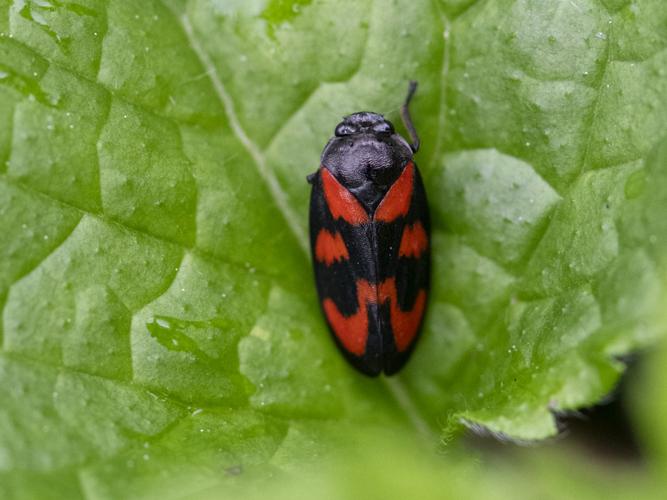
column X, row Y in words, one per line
column 370, row 235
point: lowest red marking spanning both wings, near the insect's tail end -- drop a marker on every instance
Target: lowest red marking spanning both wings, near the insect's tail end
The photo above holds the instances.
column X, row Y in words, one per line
column 352, row 331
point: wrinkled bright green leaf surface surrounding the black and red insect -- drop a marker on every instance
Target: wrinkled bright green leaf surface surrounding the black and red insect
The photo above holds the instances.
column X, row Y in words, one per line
column 160, row 333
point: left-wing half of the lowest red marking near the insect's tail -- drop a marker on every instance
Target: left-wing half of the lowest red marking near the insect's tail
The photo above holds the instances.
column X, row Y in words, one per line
column 352, row 331
